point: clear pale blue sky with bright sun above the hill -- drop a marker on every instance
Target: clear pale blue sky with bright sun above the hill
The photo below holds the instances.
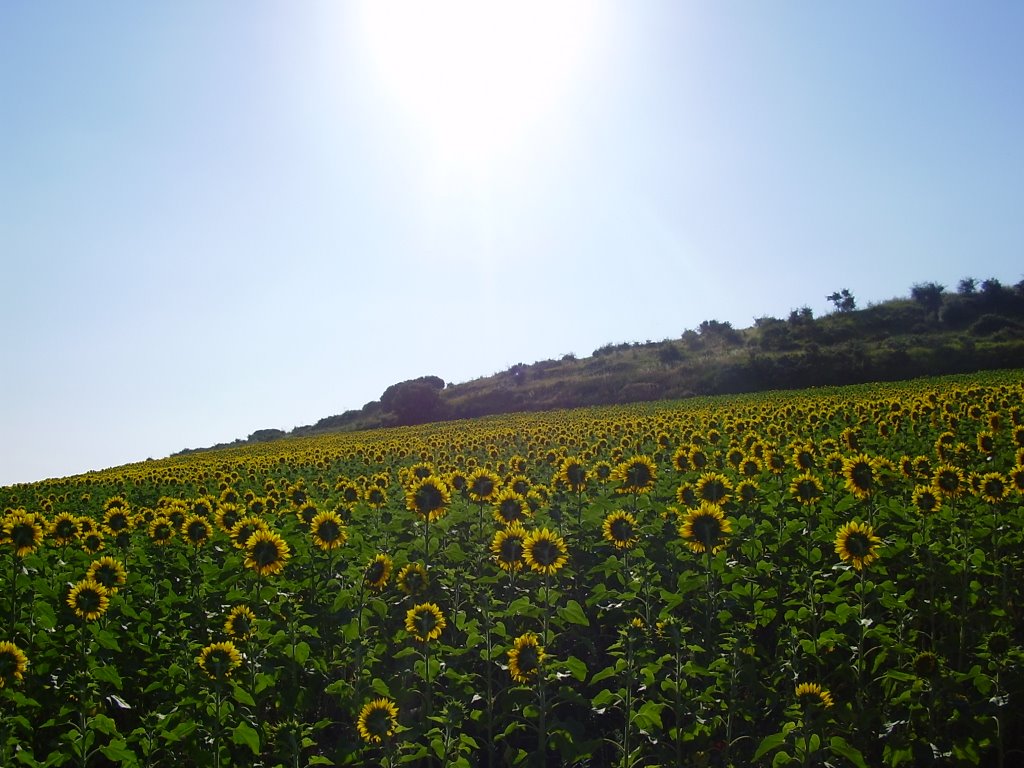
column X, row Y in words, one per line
column 220, row 217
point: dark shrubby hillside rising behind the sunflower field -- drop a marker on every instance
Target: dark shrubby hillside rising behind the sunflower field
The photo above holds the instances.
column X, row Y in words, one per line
column 932, row 332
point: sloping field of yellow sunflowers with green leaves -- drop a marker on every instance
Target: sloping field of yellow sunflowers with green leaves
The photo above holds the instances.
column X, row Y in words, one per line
column 823, row 578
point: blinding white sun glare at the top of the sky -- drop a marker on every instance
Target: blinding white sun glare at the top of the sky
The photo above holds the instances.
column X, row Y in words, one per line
column 475, row 78
